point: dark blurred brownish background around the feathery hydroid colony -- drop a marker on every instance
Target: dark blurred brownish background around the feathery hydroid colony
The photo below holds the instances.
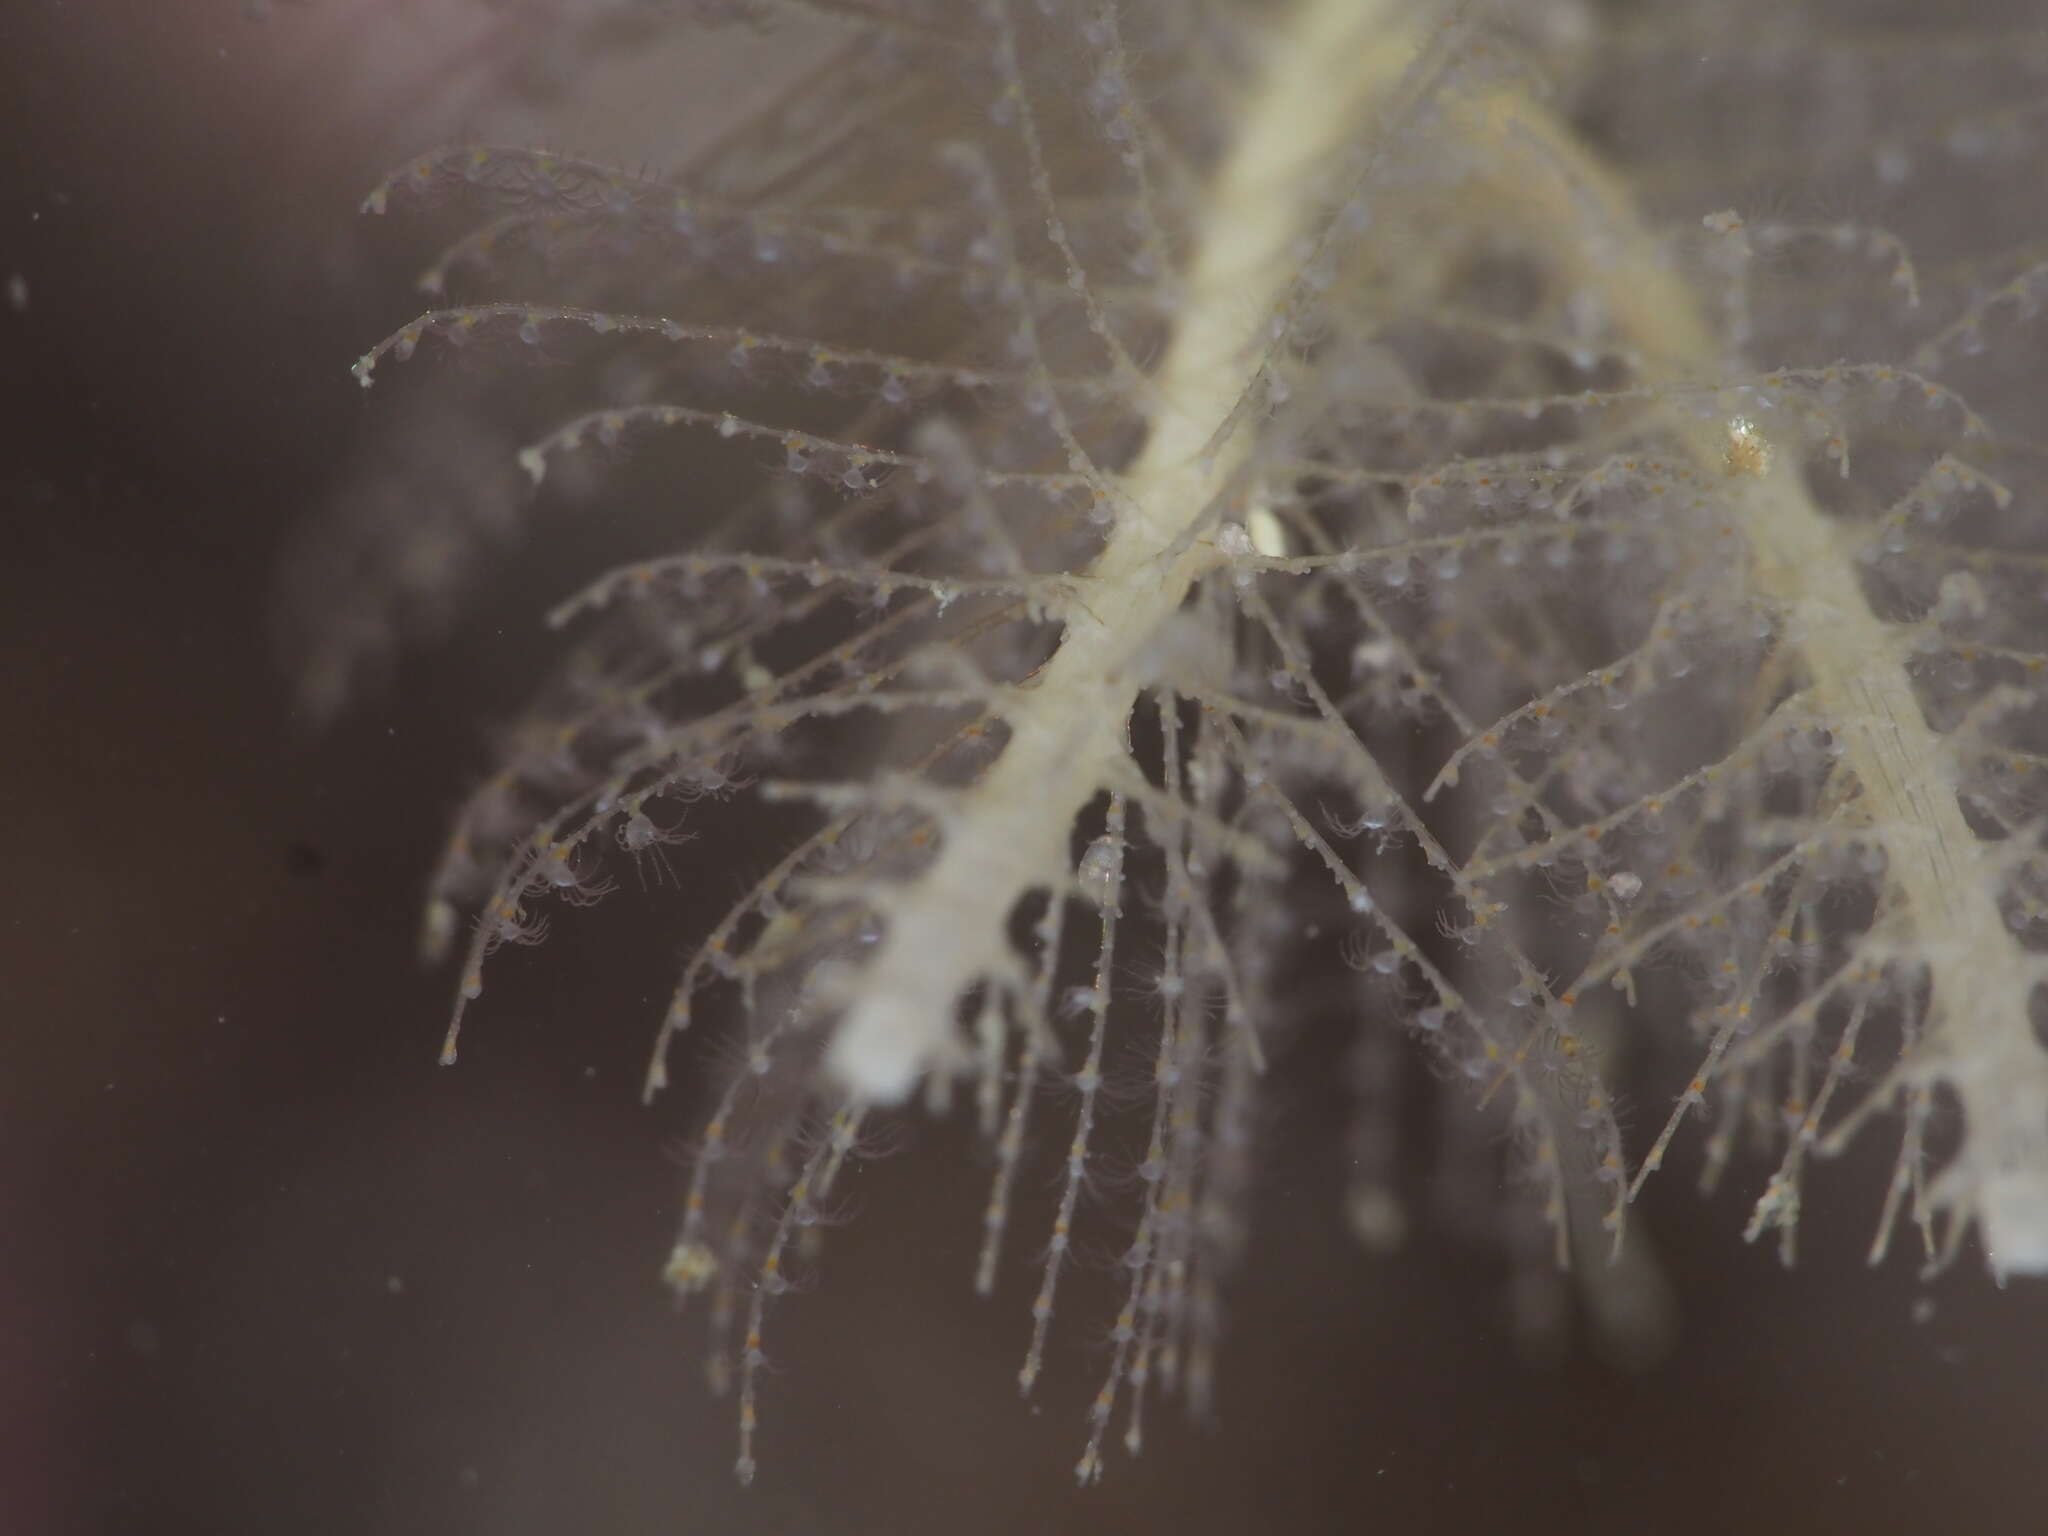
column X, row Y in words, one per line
column 269, row 1271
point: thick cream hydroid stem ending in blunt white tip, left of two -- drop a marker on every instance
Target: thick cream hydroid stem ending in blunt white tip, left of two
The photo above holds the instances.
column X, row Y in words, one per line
column 1326, row 73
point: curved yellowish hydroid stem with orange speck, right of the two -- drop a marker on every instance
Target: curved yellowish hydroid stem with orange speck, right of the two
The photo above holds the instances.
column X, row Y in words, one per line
column 1803, row 572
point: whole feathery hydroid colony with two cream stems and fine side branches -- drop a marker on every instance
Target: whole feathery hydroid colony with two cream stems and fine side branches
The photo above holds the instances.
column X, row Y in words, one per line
column 1250, row 486
